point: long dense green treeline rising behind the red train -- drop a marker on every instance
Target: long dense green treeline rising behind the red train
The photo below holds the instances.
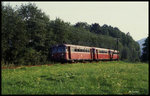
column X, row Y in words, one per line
column 28, row 33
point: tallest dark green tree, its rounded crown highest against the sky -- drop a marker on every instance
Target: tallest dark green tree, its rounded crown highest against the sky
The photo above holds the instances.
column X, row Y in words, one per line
column 37, row 23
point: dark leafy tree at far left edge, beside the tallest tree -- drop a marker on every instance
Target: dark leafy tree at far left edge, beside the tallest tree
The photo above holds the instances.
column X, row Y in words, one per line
column 14, row 38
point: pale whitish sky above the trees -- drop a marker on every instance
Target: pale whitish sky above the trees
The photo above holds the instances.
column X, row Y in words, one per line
column 127, row 16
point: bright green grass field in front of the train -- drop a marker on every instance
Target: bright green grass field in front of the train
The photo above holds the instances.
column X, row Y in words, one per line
column 79, row 78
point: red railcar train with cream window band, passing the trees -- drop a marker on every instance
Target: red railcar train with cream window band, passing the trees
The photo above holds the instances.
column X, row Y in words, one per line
column 73, row 53
